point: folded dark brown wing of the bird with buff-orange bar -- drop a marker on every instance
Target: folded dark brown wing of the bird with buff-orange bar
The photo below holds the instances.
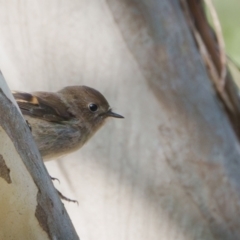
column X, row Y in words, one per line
column 47, row 106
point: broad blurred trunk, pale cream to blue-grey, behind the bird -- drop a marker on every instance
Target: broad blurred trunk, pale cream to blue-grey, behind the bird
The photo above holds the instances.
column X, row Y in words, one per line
column 170, row 170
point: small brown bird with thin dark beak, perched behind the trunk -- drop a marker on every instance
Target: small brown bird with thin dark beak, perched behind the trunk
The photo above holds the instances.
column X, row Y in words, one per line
column 62, row 122
